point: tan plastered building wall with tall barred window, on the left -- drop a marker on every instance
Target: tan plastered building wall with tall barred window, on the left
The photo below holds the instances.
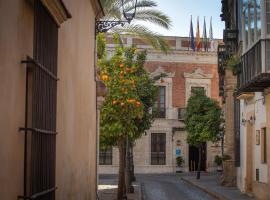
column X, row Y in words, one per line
column 48, row 136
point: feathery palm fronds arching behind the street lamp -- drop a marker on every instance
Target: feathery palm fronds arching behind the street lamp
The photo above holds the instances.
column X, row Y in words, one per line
column 146, row 12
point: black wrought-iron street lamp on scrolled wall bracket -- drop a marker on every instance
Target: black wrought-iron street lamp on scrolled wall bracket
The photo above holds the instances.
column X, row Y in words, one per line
column 129, row 13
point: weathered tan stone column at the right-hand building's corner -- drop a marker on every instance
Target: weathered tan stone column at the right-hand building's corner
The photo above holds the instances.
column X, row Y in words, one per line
column 229, row 171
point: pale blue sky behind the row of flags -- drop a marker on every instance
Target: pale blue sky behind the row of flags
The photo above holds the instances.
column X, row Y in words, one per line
column 180, row 12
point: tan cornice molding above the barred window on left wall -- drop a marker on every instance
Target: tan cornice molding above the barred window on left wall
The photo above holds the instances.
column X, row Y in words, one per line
column 58, row 10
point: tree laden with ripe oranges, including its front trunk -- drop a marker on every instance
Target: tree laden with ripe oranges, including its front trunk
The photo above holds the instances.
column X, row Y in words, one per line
column 131, row 93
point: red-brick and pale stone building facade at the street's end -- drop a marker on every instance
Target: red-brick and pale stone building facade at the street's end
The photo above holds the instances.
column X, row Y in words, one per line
column 157, row 150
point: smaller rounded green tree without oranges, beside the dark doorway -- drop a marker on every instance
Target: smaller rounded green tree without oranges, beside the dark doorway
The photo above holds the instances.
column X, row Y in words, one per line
column 203, row 119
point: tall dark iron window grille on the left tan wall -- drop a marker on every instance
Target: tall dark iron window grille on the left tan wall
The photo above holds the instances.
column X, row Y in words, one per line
column 40, row 116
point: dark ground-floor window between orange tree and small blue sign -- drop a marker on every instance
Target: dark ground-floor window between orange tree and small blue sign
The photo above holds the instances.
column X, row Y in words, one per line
column 158, row 149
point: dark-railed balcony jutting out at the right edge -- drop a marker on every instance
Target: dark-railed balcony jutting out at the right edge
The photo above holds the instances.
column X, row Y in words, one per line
column 255, row 68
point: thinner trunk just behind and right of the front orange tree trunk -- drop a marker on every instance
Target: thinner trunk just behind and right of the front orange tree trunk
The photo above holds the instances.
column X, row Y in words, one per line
column 129, row 186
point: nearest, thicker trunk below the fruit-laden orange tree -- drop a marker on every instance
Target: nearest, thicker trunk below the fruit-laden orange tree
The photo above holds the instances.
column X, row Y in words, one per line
column 121, row 192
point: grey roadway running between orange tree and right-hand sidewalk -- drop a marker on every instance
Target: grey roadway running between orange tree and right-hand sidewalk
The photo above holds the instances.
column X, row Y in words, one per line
column 169, row 187
